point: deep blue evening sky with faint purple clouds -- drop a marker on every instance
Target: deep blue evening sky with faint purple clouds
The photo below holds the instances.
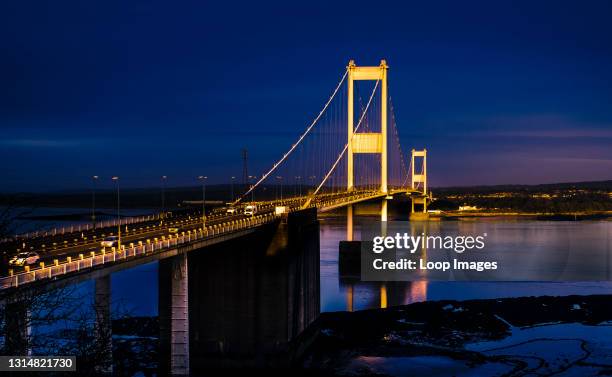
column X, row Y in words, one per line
column 499, row 92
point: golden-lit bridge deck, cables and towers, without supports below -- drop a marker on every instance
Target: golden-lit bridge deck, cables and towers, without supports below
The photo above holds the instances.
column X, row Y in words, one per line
column 349, row 153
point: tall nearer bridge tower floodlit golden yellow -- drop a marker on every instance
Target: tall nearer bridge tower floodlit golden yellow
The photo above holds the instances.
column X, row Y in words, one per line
column 368, row 142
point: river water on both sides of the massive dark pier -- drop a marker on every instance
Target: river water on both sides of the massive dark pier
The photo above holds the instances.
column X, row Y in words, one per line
column 137, row 288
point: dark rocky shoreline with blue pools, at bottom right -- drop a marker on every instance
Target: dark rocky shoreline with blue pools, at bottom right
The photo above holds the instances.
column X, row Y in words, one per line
column 445, row 336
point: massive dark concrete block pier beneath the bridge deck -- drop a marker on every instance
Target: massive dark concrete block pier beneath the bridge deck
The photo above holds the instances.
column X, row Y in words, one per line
column 250, row 297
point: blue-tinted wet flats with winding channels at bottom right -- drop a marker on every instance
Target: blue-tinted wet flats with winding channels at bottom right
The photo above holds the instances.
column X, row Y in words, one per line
column 563, row 349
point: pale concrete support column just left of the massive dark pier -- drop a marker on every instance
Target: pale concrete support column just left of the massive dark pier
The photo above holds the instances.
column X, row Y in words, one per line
column 174, row 316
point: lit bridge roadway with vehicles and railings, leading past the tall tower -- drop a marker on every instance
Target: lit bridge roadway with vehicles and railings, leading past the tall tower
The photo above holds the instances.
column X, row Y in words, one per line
column 144, row 239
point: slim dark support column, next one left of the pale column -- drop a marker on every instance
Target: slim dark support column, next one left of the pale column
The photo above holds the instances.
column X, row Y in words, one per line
column 103, row 329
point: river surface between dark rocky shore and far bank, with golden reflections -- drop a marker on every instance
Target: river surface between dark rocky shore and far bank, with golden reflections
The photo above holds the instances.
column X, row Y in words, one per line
column 339, row 294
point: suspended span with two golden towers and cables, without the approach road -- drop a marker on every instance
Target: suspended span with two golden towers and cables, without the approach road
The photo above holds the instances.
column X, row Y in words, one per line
column 351, row 151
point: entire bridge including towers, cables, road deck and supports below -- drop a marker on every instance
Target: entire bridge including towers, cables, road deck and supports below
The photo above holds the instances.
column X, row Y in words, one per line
column 349, row 153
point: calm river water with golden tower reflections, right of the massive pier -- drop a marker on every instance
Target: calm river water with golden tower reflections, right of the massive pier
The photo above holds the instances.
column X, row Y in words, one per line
column 516, row 238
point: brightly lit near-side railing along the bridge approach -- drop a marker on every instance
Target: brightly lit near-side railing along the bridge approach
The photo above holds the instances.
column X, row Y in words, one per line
column 131, row 251
